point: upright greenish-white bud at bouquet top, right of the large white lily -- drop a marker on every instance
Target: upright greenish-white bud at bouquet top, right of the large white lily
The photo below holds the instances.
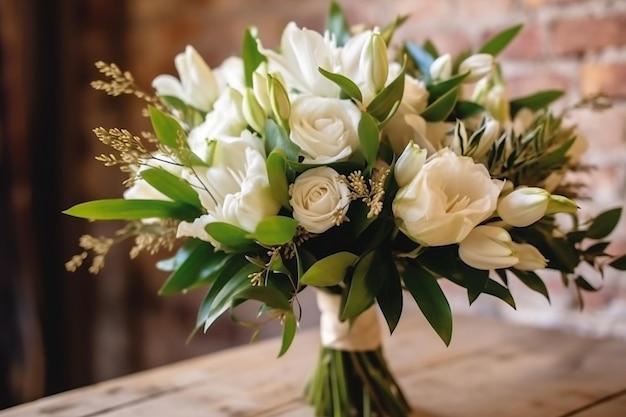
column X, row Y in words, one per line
column 374, row 62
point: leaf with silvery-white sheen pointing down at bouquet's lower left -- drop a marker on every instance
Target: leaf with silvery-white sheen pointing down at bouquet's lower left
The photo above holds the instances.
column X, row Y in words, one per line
column 221, row 294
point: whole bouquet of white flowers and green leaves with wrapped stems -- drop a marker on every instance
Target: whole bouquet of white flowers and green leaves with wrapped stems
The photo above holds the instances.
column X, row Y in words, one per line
column 357, row 166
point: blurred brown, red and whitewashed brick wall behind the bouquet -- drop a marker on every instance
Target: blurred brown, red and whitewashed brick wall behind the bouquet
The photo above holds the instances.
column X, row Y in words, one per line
column 575, row 45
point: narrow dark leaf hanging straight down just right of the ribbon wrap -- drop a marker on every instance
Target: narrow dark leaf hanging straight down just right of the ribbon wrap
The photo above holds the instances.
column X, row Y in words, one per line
column 389, row 294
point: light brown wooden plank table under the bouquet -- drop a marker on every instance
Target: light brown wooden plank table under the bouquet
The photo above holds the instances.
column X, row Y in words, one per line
column 490, row 369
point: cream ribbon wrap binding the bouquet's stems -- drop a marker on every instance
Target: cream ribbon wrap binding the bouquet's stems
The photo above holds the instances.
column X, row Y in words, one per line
column 362, row 334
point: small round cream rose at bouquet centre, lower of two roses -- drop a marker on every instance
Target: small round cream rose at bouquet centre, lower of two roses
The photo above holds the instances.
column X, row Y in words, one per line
column 319, row 199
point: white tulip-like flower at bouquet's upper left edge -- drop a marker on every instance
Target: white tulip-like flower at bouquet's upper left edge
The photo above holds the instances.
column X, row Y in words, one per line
column 197, row 85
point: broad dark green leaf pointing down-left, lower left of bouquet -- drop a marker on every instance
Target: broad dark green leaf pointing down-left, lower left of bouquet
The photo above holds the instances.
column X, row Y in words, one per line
column 202, row 266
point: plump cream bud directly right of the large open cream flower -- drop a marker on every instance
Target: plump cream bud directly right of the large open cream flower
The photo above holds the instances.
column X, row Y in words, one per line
column 524, row 206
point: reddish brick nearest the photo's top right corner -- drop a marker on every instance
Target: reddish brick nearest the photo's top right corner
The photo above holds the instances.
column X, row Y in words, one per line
column 577, row 36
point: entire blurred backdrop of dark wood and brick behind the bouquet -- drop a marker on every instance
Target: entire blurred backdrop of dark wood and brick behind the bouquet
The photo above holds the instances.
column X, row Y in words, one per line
column 60, row 330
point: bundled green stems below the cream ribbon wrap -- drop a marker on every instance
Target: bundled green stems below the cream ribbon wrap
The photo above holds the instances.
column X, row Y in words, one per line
column 355, row 384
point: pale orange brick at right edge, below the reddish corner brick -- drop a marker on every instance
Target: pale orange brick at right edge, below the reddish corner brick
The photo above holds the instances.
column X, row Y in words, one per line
column 604, row 78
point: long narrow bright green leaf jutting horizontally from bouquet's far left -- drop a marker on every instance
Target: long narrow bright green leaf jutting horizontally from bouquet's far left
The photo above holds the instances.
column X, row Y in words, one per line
column 122, row 209
